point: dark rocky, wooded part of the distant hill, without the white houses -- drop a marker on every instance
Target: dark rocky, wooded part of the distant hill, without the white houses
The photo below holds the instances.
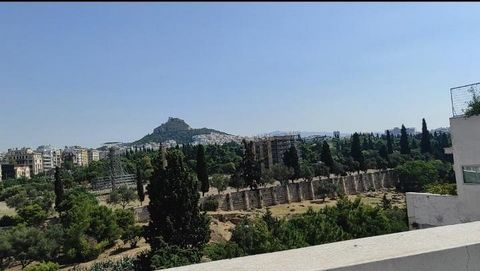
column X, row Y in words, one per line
column 176, row 129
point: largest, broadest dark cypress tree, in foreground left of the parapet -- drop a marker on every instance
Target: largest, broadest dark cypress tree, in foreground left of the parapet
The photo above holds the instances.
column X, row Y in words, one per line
column 175, row 218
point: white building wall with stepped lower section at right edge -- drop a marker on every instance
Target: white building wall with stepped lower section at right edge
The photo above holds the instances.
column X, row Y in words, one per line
column 428, row 210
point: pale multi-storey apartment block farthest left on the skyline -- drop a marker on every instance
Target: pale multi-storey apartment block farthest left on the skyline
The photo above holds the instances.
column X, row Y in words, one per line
column 26, row 157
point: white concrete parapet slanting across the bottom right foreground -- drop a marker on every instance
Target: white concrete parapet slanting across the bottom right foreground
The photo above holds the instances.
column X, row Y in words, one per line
column 454, row 247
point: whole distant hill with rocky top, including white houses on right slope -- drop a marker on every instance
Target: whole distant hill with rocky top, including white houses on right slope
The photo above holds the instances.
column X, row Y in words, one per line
column 178, row 130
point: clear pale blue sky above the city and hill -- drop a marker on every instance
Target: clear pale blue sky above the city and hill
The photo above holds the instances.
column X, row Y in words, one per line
column 87, row 73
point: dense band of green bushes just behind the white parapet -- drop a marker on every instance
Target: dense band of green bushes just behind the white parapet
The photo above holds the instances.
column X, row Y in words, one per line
column 347, row 220
